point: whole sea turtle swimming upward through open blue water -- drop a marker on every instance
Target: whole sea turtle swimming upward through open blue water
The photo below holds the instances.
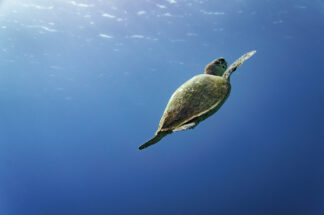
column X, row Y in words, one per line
column 197, row 99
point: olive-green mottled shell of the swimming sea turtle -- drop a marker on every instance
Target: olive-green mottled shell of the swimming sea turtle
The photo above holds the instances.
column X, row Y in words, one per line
column 193, row 100
